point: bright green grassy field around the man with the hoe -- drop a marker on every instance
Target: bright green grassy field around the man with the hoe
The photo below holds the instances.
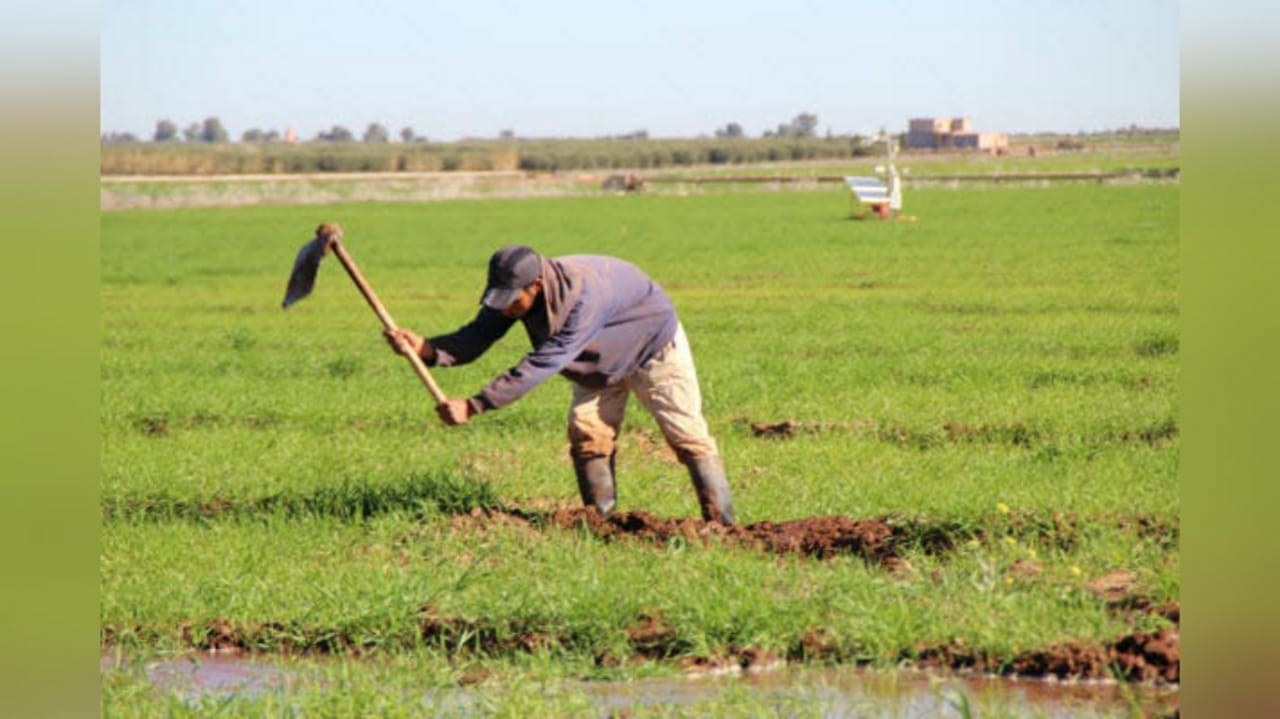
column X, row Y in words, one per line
column 1007, row 364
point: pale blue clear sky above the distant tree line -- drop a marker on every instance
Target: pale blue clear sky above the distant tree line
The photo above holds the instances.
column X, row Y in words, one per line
column 473, row 68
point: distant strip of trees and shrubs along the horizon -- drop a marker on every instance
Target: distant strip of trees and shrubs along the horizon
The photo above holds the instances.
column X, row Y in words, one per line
column 204, row 149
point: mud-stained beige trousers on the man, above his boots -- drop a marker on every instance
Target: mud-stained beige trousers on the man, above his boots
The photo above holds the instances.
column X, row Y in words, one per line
column 668, row 387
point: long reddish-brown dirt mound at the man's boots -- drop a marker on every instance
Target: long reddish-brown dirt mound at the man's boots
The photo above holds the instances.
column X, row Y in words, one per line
column 822, row 538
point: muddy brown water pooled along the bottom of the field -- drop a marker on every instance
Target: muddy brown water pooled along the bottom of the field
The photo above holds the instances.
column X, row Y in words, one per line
column 831, row 691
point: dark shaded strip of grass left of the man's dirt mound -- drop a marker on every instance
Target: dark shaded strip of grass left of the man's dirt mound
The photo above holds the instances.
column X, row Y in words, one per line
column 419, row 494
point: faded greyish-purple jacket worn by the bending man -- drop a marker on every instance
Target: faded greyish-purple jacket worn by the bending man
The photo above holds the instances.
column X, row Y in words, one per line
column 597, row 320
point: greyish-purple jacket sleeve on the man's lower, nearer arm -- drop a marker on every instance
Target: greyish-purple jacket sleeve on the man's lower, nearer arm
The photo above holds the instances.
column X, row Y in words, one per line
column 580, row 327
